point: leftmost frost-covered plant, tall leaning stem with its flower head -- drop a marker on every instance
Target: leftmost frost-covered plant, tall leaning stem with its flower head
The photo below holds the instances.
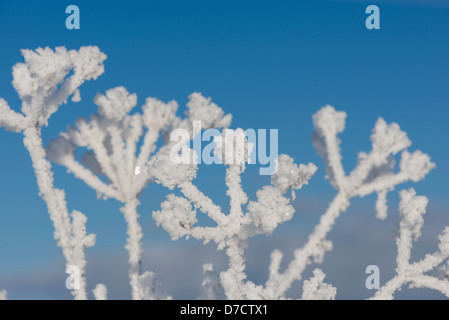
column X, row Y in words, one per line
column 44, row 82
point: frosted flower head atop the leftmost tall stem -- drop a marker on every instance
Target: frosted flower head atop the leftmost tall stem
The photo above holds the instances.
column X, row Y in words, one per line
column 44, row 71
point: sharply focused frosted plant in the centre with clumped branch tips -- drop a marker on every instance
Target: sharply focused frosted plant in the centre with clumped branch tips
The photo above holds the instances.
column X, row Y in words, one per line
column 178, row 214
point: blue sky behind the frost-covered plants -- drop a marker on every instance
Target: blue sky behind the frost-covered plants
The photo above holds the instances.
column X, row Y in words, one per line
column 271, row 64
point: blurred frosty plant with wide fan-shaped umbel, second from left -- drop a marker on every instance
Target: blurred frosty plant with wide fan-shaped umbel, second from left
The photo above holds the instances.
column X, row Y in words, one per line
column 119, row 145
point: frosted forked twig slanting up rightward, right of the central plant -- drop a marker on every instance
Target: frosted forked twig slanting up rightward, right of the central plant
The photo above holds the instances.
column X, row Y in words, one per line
column 373, row 174
